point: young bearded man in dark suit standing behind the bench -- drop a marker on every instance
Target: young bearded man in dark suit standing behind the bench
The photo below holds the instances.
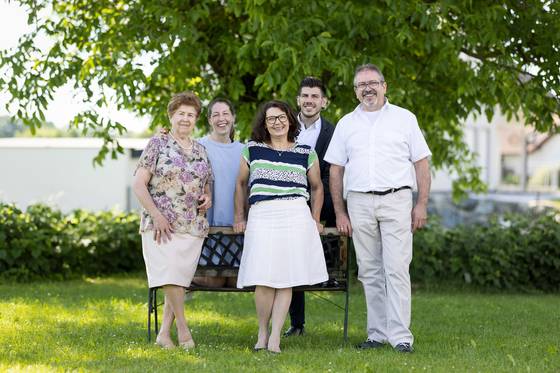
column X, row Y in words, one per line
column 316, row 132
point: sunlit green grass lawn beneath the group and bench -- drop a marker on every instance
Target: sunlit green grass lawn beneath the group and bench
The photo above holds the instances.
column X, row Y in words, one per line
column 100, row 325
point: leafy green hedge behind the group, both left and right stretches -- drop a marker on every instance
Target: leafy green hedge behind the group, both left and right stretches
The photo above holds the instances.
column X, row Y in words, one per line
column 520, row 252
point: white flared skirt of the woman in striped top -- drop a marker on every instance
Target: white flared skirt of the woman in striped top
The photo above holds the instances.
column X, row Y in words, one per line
column 282, row 247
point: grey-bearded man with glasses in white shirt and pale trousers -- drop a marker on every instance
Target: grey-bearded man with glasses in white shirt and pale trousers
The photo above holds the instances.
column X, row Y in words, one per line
column 377, row 149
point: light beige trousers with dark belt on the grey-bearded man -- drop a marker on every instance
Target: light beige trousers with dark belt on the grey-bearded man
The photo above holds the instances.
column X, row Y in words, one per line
column 382, row 238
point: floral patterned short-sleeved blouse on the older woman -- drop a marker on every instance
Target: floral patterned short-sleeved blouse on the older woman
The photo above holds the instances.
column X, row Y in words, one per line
column 178, row 180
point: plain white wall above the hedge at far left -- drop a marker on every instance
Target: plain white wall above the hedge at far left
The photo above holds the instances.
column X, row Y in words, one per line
column 63, row 176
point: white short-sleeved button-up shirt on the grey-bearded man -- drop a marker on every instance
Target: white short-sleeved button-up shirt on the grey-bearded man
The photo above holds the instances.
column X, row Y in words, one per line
column 377, row 149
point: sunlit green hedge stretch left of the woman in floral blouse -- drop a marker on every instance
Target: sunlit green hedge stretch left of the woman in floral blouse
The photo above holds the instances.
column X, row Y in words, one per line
column 44, row 243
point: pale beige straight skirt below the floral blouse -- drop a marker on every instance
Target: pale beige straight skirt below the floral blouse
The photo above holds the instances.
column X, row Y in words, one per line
column 171, row 263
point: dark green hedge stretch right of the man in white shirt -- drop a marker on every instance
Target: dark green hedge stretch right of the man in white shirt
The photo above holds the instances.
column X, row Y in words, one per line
column 512, row 252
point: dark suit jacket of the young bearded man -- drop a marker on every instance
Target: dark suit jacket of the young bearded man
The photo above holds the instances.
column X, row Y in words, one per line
column 323, row 141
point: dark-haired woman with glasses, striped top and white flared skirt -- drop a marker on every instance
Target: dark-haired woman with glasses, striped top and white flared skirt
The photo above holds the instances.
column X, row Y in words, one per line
column 282, row 247
